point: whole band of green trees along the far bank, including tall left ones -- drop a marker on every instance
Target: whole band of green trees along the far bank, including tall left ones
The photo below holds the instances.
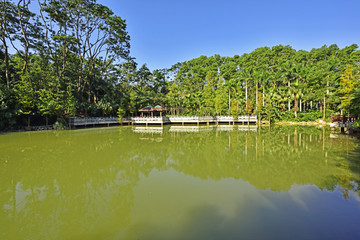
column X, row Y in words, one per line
column 71, row 58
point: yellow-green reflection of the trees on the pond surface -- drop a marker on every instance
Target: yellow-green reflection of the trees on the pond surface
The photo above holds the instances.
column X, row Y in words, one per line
column 59, row 179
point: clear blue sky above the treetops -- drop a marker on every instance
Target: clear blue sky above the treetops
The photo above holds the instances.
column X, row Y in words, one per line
column 164, row 32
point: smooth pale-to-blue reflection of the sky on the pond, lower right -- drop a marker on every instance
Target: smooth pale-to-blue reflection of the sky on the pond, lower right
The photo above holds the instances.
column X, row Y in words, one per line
column 170, row 205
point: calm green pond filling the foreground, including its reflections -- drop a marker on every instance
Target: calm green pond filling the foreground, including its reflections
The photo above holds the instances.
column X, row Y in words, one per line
column 180, row 183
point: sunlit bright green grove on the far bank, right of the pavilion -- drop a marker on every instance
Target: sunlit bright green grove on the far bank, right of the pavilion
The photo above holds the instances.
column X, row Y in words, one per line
column 293, row 82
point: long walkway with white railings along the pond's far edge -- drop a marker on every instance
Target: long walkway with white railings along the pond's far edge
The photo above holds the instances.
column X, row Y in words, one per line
column 101, row 121
